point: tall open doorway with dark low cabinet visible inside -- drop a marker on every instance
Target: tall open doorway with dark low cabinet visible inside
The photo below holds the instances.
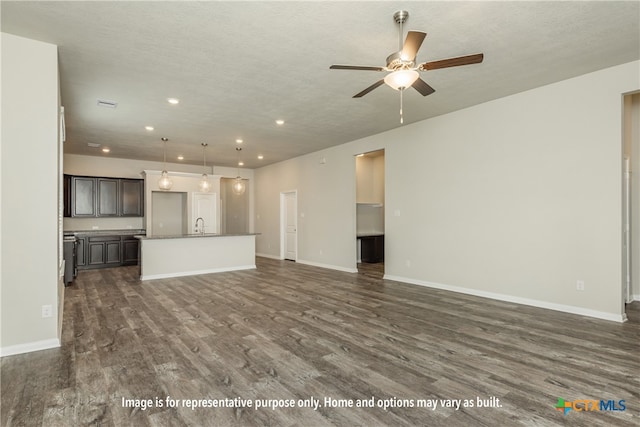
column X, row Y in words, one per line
column 370, row 215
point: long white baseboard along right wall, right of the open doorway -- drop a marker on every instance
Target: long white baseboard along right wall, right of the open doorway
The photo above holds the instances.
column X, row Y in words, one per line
column 510, row 298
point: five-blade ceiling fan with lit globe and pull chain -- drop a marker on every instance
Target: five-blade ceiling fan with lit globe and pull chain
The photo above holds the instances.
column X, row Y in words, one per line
column 402, row 67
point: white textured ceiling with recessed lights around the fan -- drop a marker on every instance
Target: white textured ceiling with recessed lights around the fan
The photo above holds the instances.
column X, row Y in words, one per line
column 238, row 66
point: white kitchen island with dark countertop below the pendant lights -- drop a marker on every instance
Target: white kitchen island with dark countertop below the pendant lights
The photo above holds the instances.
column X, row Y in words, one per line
column 191, row 254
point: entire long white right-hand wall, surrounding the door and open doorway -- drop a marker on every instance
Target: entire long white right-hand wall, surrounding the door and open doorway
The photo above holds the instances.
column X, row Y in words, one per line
column 516, row 199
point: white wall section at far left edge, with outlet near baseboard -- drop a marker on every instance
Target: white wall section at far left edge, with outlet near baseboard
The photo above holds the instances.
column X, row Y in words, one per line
column 29, row 181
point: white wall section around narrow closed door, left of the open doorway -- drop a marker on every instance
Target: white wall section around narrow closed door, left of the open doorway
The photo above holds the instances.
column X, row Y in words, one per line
column 325, row 181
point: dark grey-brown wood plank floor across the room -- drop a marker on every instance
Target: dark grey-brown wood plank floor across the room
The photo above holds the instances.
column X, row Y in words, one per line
column 292, row 332
